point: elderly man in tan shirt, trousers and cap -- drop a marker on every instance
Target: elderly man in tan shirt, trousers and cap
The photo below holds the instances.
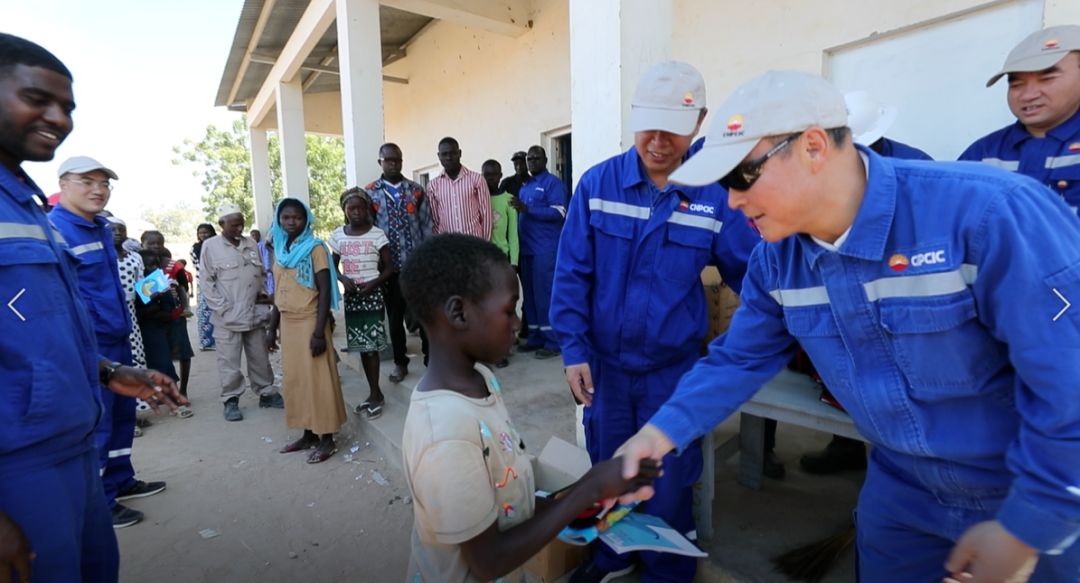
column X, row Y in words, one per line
column 232, row 278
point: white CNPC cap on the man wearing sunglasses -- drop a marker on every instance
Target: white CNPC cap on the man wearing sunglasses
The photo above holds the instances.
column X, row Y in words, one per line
column 775, row 104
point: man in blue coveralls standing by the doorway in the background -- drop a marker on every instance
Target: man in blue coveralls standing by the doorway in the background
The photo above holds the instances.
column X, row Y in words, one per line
column 541, row 219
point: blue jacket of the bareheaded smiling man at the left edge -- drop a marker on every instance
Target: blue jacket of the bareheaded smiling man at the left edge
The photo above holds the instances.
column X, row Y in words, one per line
column 49, row 357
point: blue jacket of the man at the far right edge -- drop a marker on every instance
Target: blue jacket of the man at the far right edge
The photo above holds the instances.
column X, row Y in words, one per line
column 1054, row 160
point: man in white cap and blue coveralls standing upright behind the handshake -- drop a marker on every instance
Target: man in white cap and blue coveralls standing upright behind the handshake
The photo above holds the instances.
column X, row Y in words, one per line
column 628, row 303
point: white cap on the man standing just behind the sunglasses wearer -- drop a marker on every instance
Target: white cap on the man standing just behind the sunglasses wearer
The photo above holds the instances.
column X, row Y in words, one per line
column 670, row 98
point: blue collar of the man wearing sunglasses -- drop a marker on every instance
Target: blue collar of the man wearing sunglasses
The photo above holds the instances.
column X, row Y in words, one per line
column 870, row 233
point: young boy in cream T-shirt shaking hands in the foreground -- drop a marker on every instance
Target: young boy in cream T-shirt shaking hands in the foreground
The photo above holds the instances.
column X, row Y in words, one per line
column 466, row 465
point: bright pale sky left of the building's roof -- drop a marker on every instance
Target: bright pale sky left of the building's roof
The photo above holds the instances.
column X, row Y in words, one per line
column 146, row 75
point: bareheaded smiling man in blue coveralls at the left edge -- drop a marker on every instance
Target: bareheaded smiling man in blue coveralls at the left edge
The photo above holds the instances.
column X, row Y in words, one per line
column 55, row 522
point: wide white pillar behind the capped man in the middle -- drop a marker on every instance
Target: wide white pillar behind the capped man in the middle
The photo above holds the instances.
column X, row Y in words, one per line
column 613, row 44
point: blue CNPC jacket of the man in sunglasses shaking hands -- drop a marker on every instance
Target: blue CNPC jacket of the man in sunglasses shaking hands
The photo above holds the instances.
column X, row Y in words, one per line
column 940, row 327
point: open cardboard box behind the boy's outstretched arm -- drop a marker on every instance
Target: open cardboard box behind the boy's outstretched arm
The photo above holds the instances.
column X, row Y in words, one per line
column 559, row 466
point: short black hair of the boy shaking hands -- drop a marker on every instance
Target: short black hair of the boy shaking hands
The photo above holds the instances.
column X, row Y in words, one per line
column 449, row 265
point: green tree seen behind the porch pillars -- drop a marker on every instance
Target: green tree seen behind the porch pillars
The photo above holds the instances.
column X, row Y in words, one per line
column 222, row 159
